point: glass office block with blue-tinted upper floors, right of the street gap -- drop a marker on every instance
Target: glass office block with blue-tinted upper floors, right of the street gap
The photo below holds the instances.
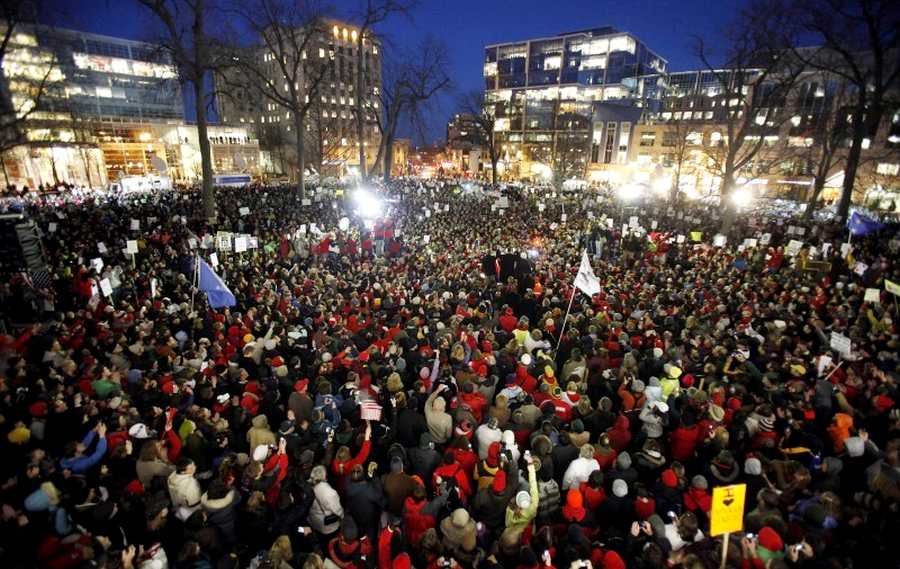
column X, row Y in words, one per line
column 548, row 96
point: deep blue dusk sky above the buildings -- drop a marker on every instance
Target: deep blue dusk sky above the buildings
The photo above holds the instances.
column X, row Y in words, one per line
column 466, row 26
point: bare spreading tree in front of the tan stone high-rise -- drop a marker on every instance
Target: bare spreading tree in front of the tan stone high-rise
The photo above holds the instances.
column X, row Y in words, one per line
column 286, row 69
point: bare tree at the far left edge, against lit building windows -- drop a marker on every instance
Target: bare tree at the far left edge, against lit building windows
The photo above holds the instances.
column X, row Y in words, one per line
column 15, row 15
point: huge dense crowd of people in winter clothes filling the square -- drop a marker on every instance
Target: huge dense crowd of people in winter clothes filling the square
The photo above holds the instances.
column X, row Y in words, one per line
column 378, row 397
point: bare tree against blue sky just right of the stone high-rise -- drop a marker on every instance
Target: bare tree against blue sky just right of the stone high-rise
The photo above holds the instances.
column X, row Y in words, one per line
column 410, row 83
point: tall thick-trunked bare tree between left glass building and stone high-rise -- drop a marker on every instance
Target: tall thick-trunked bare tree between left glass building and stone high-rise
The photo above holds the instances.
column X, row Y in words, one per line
column 187, row 38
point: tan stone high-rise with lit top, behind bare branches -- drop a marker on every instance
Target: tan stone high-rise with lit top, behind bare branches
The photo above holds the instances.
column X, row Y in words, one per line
column 331, row 140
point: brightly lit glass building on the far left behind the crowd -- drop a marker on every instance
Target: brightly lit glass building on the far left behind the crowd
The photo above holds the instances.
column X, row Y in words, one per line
column 91, row 117
